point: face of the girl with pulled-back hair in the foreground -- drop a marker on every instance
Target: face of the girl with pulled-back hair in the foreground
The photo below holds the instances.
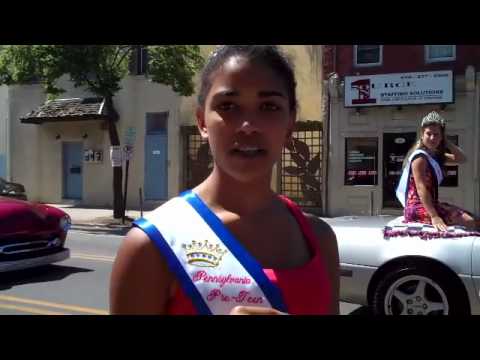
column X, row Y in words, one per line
column 246, row 119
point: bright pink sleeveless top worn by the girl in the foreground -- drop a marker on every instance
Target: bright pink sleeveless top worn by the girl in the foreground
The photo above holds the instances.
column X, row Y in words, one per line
column 306, row 289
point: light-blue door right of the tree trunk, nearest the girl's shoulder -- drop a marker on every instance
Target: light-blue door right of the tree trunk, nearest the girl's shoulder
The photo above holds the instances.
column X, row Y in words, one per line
column 156, row 176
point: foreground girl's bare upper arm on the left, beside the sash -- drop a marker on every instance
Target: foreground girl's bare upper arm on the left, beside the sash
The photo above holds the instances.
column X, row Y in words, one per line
column 140, row 282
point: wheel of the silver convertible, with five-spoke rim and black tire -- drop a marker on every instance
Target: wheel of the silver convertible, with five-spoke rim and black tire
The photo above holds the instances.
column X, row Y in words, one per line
column 419, row 290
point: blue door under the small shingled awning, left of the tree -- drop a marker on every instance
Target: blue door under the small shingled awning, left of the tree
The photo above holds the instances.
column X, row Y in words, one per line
column 72, row 170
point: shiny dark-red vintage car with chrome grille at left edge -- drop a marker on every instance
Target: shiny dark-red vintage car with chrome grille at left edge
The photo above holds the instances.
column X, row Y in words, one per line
column 31, row 234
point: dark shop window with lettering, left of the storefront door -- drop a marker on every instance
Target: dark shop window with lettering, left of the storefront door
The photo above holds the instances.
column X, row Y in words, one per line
column 361, row 161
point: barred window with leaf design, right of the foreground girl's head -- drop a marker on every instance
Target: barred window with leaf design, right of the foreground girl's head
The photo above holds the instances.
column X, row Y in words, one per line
column 301, row 166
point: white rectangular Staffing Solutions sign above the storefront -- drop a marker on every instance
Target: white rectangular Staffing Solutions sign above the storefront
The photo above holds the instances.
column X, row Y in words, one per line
column 431, row 87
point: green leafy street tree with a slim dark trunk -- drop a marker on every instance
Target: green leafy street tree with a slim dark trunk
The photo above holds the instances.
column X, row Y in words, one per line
column 100, row 69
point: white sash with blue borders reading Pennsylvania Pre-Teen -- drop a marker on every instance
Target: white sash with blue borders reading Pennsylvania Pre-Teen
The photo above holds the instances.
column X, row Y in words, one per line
column 213, row 268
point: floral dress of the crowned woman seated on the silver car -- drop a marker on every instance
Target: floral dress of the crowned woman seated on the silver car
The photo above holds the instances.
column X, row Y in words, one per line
column 416, row 212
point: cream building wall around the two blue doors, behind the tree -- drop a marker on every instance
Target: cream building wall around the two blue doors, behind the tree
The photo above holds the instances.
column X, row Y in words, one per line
column 37, row 154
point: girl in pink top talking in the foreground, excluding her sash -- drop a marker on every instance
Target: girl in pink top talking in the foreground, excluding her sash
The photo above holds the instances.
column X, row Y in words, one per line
column 247, row 108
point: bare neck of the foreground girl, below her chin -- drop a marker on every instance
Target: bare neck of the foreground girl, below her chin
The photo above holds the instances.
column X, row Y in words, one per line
column 222, row 192
